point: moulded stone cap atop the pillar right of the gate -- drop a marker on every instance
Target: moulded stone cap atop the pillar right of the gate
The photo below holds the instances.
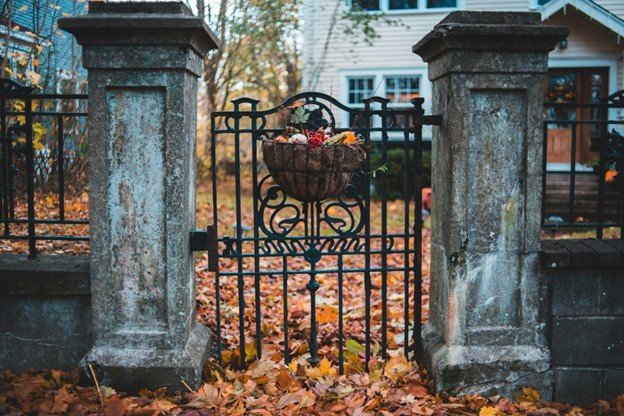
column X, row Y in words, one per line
column 493, row 31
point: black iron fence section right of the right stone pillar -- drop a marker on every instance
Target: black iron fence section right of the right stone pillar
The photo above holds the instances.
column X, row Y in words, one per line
column 583, row 157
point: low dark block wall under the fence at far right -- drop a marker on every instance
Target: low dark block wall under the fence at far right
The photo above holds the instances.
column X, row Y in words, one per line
column 586, row 332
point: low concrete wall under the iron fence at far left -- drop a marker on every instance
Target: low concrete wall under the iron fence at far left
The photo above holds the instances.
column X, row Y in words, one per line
column 45, row 318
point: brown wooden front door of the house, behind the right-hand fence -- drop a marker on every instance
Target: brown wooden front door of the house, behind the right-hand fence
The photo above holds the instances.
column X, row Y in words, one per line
column 574, row 85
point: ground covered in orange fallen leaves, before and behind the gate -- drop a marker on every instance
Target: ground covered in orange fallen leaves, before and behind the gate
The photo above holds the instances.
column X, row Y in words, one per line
column 392, row 386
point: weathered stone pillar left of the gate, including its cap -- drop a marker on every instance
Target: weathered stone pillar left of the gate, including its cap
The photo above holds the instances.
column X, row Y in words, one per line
column 143, row 61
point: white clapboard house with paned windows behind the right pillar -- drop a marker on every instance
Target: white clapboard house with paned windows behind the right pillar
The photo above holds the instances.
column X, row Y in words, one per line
column 588, row 65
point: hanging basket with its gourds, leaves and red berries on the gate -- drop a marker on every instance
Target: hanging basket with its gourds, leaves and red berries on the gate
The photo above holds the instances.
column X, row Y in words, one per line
column 312, row 165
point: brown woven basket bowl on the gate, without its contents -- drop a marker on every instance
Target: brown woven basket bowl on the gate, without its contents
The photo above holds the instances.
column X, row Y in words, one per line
column 311, row 174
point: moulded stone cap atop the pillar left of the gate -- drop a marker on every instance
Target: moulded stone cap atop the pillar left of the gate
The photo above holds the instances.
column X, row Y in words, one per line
column 143, row 23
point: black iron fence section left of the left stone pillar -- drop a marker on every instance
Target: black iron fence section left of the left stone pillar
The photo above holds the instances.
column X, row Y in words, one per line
column 42, row 158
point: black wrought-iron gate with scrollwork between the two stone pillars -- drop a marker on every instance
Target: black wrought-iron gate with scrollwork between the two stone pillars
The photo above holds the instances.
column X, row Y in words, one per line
column 262, row 237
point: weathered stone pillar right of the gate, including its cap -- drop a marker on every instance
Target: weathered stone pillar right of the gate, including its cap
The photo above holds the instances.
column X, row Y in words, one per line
column 486, row 330
